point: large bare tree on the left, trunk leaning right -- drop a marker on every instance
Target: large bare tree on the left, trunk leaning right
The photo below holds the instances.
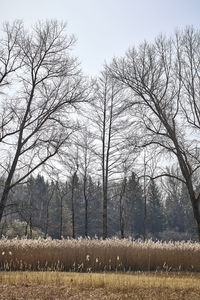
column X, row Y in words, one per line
column 47, row 86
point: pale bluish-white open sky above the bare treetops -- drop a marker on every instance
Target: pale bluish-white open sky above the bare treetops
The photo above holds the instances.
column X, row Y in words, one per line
column 105, row 28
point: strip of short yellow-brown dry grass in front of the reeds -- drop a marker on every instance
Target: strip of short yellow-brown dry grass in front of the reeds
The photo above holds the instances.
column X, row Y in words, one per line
column 61, row 285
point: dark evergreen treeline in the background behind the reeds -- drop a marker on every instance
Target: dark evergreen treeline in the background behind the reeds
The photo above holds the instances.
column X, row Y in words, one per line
column 41, row 208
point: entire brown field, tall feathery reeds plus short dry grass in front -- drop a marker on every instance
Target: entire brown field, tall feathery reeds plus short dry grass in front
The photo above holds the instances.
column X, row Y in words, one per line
column 96, row 269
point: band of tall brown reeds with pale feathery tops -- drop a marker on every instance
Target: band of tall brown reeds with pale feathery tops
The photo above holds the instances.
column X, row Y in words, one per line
column 85, row 255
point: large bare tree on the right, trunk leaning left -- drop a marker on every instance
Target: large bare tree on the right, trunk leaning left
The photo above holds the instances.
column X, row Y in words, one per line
column 164, row 78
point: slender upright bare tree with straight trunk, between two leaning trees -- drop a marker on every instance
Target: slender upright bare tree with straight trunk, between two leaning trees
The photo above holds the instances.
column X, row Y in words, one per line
column 110, row 122
